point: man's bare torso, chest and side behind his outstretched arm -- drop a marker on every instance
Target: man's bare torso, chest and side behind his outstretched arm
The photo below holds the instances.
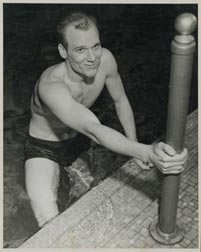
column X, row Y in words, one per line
column 44, row 124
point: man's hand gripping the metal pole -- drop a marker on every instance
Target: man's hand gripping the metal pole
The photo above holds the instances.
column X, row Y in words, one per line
column 166, row 160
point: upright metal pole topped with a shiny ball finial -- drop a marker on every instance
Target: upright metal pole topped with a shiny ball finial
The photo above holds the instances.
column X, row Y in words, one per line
column 165, row 230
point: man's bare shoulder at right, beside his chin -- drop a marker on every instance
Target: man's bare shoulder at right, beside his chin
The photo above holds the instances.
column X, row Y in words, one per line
column 109, row 62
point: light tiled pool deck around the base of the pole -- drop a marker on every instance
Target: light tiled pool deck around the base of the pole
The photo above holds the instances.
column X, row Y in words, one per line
column 117, row 213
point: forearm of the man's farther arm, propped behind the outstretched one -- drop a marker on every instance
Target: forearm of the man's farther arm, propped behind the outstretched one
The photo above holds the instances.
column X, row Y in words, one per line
column 126, row 117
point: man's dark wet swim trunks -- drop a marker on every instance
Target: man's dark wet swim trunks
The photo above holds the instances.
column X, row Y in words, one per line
column 62, row 152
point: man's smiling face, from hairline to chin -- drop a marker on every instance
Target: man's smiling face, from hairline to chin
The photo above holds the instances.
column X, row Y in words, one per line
column 84, row 50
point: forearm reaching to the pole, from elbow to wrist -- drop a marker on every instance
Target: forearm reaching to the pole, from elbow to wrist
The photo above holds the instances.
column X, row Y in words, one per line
column 115, row 141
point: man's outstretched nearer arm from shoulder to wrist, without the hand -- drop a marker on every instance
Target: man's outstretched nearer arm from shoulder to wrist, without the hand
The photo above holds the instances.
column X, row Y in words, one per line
column 58, row 99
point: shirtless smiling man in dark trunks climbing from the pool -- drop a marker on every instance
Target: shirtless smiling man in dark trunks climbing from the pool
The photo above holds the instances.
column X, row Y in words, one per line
column 60, row 109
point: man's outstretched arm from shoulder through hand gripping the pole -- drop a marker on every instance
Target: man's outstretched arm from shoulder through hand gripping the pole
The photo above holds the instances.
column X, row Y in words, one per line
column 74, row 115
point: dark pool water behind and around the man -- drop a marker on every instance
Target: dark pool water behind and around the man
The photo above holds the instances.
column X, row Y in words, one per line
column 139, row 36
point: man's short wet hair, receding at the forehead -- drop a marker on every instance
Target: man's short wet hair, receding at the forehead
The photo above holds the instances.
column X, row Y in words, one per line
column 79, row 20
